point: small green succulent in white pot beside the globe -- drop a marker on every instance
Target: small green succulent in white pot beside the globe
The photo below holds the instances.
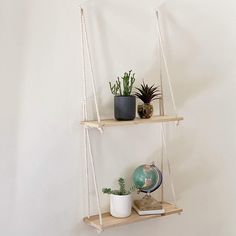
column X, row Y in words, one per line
column 120, row 200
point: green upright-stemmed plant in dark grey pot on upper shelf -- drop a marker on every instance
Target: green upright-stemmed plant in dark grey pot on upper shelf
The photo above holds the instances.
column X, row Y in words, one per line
column 124, row 102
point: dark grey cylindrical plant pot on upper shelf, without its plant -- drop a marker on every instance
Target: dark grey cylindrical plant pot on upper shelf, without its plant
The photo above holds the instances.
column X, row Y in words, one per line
column 124, row 107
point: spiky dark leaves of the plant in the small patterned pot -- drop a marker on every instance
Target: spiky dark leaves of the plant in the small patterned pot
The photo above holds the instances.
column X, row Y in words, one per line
column 148, row 93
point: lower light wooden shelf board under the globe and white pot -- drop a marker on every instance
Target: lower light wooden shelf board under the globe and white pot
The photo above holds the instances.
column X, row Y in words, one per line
column 110, row 221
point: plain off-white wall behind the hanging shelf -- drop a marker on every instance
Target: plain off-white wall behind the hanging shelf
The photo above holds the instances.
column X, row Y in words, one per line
column 41, row 165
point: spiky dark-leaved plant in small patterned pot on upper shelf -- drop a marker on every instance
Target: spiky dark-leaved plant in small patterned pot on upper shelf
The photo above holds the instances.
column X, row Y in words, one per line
column 147, row 94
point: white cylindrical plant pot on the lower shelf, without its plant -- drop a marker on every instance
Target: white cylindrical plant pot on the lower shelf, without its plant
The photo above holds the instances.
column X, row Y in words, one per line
column 120, row 206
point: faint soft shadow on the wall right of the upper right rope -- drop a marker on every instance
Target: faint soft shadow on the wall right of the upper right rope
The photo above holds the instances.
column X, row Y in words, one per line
column 191, row 62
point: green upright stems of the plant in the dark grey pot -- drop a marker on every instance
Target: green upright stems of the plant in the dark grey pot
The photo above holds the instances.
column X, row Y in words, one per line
column 128, row 80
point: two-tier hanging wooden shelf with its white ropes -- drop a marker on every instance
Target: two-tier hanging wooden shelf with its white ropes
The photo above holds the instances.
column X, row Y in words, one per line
column 105, row 220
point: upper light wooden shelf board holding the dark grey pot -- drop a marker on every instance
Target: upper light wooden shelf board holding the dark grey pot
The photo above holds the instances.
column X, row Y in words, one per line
column 137, row 121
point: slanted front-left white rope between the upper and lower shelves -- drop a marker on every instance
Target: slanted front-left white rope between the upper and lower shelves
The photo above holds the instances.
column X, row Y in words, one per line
column 94, row 178
